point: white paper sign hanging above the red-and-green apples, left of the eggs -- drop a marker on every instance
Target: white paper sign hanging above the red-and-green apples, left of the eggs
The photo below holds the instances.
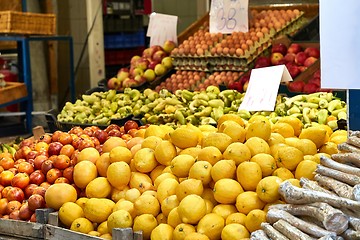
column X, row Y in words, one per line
column 162, row 27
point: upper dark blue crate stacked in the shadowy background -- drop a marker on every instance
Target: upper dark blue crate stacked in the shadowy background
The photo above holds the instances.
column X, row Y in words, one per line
column 124, row 40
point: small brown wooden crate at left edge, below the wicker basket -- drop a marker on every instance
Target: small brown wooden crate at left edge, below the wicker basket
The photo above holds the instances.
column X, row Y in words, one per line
column 12, row 91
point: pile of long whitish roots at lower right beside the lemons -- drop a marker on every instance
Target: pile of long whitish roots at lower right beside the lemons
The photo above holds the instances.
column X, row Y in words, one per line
column 326, row 208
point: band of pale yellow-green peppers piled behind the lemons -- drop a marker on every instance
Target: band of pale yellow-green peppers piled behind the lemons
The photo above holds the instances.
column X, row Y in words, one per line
column 197, row 108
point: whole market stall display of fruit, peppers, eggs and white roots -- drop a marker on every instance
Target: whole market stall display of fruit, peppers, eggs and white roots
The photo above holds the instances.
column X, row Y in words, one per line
column 169, row 155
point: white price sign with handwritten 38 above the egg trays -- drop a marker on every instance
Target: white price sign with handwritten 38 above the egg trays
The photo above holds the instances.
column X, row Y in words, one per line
column 227, row 16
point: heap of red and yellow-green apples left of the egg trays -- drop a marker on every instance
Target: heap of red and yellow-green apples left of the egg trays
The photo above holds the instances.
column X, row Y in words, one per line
column 154, row 62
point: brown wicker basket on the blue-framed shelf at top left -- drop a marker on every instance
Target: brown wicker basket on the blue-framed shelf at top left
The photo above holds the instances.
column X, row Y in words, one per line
column 13, row 22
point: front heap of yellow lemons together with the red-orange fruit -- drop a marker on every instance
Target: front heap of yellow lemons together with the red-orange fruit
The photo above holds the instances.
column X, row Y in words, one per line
column 169, row 183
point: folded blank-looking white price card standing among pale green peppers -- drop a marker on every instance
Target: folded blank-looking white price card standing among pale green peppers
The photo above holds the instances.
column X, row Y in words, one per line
column 263, row 88
